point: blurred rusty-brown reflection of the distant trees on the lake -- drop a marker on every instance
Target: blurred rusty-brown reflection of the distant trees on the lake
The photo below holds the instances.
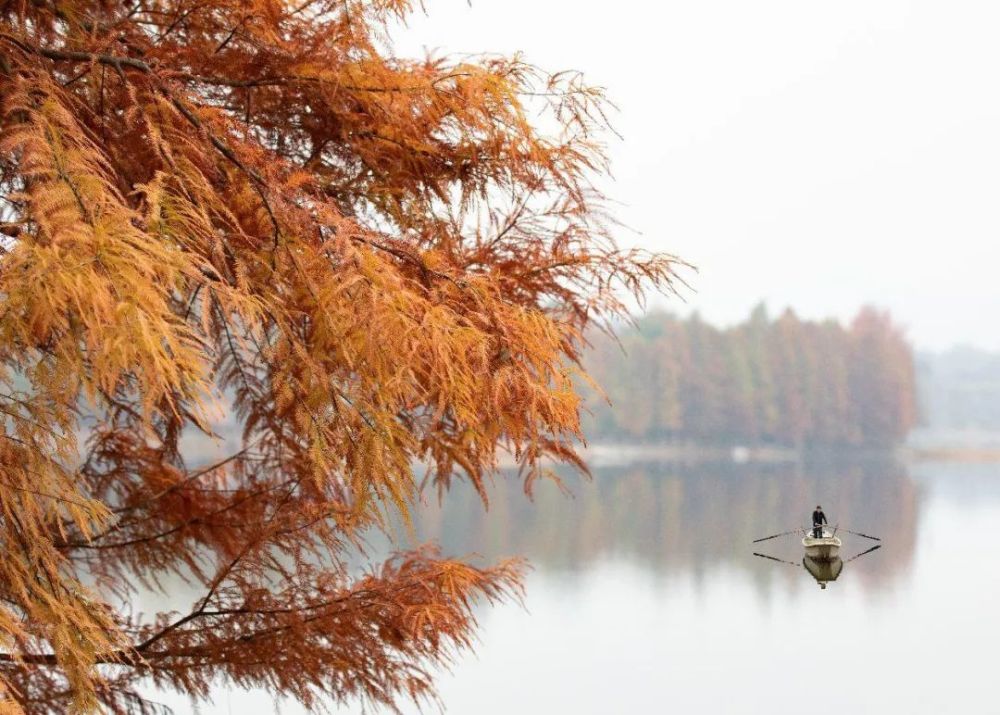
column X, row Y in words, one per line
column 681, row 519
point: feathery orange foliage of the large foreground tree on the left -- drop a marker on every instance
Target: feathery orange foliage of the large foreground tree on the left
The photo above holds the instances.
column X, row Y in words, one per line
column 372, row 262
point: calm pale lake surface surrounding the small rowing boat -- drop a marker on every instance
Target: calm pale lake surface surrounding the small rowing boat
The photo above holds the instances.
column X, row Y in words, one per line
column 646, row 597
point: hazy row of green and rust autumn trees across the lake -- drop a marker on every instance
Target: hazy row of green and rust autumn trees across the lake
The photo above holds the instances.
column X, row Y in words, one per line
column 785, row 381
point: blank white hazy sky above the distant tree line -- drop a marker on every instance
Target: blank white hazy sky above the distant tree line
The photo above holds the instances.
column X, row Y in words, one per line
column 815, row 154
